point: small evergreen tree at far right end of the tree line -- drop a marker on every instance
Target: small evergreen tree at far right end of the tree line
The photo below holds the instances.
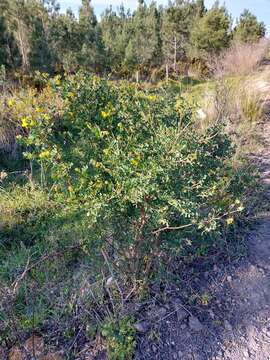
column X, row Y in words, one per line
column 248, row 28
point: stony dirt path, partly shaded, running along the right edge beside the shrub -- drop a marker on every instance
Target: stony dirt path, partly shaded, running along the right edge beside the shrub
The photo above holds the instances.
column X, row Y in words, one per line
column 235, row 324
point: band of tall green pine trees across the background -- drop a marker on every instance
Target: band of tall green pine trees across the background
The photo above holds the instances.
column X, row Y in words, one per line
column 152, row 41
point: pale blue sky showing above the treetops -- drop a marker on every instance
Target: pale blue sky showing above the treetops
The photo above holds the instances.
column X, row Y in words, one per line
column 261, row 8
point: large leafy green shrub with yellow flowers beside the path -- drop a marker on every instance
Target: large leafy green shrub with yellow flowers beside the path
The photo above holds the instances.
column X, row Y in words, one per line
column 132, row 164
